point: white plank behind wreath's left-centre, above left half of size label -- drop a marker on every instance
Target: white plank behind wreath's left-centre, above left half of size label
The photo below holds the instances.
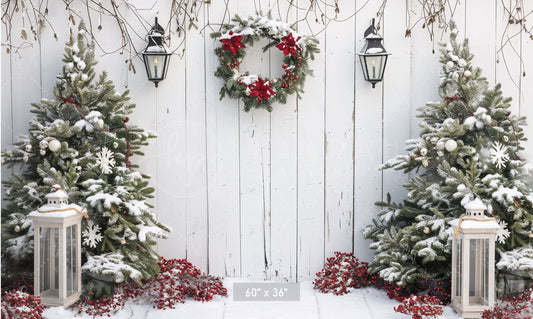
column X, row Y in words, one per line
column 255, row 168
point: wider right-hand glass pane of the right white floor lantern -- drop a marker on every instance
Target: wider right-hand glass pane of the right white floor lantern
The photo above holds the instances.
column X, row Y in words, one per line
column 478, row 267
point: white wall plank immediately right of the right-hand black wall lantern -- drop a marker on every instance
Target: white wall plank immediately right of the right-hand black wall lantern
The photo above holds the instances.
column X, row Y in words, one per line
column 395, row 106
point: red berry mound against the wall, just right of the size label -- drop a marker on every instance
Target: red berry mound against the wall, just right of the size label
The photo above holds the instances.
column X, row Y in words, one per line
column 342, row 272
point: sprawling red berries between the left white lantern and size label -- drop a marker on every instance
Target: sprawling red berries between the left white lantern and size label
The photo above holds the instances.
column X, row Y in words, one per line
column 178, row 279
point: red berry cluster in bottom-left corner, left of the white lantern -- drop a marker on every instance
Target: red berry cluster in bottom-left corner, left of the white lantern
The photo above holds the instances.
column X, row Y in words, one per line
column 17, row 304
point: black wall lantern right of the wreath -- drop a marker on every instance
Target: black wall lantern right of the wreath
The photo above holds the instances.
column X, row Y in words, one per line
column 373, row 56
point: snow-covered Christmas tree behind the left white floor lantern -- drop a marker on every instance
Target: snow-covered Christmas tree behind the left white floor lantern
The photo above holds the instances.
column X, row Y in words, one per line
column 82, row 141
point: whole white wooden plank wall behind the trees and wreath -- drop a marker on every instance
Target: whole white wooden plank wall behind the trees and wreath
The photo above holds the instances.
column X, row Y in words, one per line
column 271, row 195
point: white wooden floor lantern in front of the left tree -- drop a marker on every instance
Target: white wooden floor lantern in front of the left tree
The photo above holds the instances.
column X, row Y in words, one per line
column 57, row 250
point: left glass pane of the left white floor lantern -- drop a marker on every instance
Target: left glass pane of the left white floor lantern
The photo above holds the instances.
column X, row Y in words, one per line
column 49, row 257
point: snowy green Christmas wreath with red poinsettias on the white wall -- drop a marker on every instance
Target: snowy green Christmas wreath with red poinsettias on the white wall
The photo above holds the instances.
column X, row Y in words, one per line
column 255, row 90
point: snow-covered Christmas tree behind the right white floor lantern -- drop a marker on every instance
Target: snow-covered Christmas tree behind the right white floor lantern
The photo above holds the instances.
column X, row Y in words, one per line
column 468, row 147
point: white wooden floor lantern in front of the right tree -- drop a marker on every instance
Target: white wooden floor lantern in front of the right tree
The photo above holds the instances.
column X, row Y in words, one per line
column 473, row 261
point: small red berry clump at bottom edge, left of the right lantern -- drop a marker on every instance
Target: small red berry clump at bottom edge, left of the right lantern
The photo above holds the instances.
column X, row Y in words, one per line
column 420, row 307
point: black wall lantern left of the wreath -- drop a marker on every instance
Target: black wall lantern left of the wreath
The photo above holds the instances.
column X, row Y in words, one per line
column 156, row 55
